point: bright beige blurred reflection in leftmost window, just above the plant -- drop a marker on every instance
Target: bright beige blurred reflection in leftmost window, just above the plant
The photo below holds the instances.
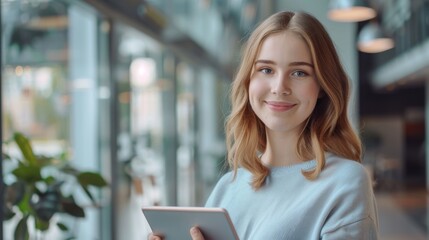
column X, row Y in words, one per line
column 35, row 101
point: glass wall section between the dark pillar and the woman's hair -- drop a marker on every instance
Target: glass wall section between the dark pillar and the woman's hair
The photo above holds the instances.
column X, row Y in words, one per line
column 159, row 135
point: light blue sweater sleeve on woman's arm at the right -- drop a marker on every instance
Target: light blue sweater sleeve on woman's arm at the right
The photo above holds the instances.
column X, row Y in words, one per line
column 352, row 202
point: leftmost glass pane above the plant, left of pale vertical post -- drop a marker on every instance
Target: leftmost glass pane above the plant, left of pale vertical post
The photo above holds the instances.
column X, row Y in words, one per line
column 36, row 99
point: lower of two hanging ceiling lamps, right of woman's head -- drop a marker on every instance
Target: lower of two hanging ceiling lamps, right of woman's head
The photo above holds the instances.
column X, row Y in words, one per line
column 372, row 39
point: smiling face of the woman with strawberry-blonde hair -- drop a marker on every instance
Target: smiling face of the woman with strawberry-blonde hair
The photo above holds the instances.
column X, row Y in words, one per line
column 283, row 88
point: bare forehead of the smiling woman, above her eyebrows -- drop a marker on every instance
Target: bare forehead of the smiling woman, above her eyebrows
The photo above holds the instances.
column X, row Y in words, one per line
column 286, row 44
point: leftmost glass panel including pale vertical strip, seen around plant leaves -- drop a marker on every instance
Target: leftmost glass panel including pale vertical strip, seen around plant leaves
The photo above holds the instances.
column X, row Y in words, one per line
column 52, row 97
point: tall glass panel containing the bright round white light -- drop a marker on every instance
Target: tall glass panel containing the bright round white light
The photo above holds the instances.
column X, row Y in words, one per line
column 140, row 170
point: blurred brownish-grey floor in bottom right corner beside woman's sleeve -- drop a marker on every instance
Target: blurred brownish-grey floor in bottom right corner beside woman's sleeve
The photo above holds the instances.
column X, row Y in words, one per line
column 403, row 215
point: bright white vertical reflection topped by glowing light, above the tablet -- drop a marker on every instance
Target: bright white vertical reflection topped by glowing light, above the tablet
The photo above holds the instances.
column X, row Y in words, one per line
column 146, row 123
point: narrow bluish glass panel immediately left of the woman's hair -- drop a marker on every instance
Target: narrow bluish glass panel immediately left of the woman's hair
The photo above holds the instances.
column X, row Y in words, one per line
column 212, row 107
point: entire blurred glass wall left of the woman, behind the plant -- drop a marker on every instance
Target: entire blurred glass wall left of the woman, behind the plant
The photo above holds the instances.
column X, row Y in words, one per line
column 85, row 81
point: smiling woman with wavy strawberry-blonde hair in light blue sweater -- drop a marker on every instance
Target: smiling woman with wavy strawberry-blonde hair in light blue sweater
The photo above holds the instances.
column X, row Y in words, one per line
column 295, row 159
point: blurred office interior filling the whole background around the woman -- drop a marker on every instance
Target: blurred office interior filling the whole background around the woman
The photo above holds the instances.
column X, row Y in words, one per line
column 136, row 93
